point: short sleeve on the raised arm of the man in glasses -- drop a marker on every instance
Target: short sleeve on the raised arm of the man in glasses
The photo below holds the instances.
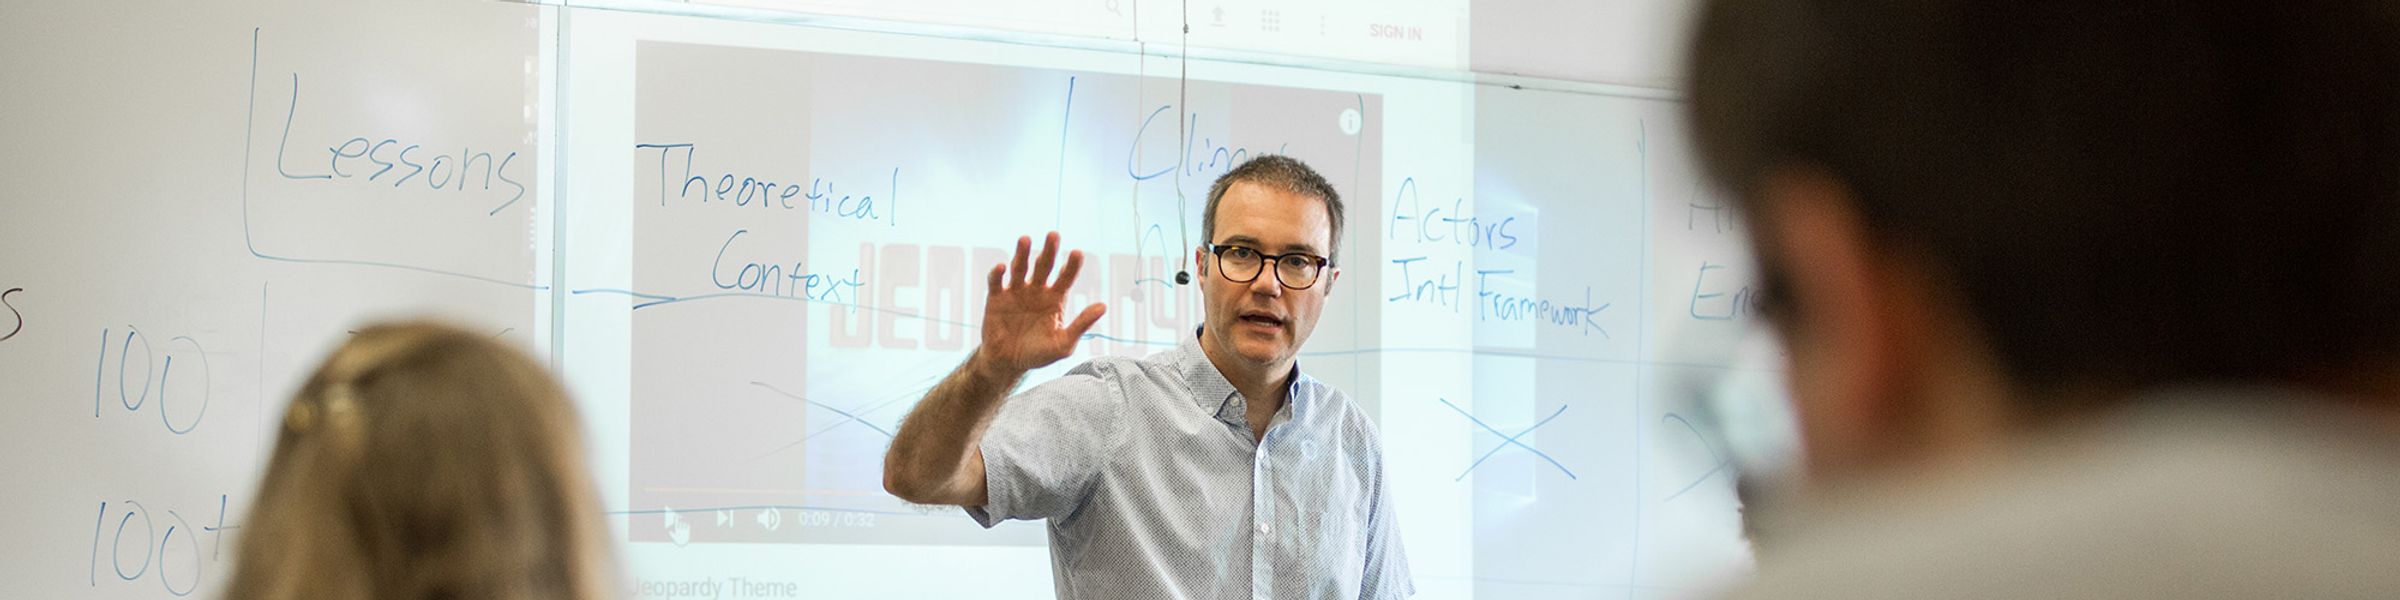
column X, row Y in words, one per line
column 1048, row 448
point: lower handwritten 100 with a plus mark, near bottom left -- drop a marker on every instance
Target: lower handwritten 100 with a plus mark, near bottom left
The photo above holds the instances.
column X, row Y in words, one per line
column 140, row 544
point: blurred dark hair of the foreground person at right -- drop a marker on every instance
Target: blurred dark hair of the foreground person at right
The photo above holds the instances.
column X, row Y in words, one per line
column 2120, row 193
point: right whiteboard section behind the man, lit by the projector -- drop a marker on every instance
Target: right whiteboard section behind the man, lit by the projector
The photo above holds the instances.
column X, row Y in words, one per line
column 779, row 232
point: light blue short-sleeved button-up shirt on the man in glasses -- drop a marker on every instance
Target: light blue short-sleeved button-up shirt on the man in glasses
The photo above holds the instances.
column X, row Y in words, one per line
column 1156, row 488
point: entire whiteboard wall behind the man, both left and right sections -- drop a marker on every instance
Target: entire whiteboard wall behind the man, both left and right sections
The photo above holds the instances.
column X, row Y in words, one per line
column 1540, row 306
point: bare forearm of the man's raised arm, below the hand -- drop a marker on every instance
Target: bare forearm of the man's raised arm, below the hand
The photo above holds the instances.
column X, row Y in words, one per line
column 935, row 448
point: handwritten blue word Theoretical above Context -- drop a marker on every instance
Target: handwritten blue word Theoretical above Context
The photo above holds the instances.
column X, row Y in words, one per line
column 779, row 196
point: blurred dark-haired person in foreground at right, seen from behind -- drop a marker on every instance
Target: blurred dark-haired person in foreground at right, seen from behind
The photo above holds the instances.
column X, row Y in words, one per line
column 2082, row 299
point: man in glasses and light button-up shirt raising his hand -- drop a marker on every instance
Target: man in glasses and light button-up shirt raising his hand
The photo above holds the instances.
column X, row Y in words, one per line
column 1208, row 472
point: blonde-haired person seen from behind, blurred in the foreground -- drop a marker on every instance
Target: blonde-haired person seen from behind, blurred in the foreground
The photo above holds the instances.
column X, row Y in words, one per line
column 426, row 462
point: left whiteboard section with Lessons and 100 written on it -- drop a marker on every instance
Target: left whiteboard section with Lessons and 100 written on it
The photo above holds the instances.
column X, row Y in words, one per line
column 198, row 217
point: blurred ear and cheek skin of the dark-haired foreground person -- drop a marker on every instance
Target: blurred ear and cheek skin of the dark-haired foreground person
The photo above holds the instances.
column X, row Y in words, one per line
column 1847, row 323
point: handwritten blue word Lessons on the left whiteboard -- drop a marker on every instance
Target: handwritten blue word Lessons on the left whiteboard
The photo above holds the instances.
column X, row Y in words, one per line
column 402, row 164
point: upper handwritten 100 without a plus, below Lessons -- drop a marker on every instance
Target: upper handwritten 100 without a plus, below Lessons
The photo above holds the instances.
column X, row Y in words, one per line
column 157, row 371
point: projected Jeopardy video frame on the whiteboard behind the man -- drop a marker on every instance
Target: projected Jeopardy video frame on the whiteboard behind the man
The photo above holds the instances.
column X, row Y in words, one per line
column 812, row 239
